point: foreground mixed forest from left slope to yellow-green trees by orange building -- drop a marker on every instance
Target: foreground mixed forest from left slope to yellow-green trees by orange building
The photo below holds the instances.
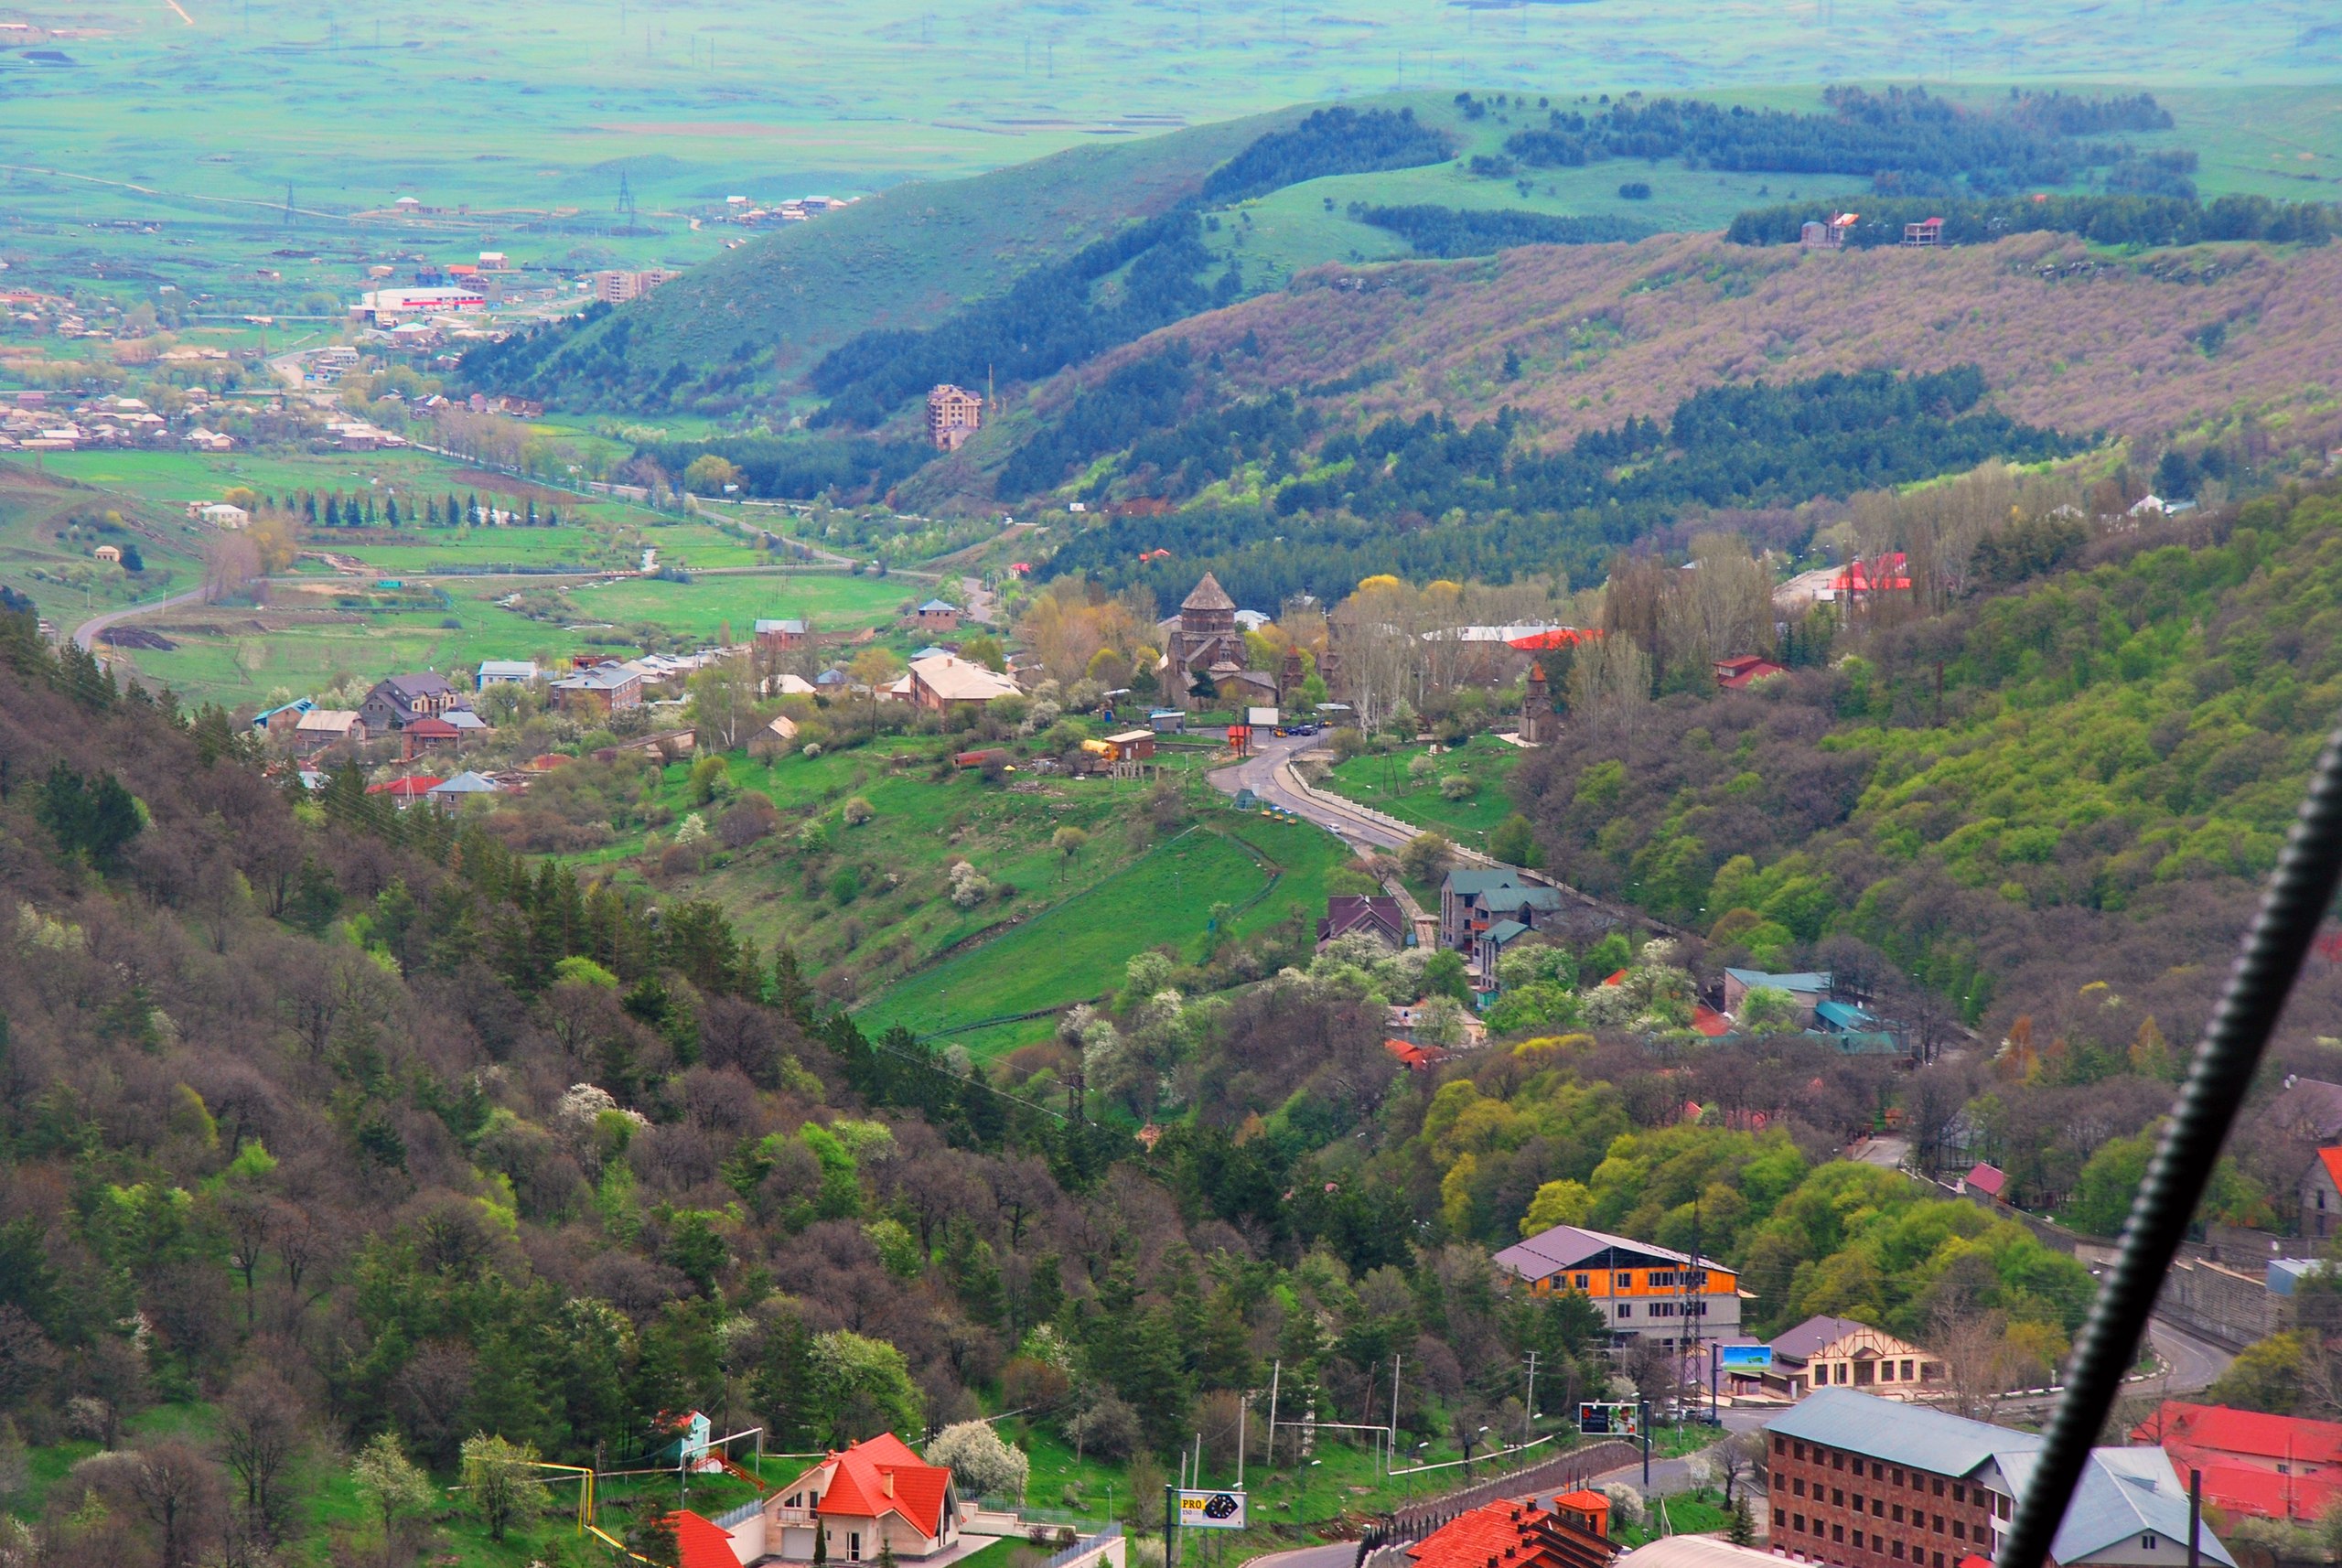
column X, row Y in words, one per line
column 329, row 1127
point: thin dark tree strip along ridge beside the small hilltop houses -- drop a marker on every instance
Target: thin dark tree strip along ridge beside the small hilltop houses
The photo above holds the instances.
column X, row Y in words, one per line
column 2111, row 221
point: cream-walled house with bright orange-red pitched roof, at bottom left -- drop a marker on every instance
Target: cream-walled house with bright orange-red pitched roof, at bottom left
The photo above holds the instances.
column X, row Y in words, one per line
column 875, row 1494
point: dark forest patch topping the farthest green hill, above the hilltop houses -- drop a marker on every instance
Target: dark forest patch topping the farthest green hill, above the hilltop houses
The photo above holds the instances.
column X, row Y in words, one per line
column 1901, row 139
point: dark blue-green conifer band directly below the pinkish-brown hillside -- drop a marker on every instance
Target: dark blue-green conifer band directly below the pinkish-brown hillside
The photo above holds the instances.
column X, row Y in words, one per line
column 1434, row 500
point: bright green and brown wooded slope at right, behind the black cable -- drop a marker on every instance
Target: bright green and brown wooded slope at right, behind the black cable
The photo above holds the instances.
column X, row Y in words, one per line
column 2053, row 802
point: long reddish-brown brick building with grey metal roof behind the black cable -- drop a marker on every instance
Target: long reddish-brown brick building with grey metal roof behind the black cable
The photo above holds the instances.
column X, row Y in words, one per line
column 1863, row 1483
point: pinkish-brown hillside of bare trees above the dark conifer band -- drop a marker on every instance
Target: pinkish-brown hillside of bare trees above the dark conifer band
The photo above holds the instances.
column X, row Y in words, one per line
column 2064, row 338
